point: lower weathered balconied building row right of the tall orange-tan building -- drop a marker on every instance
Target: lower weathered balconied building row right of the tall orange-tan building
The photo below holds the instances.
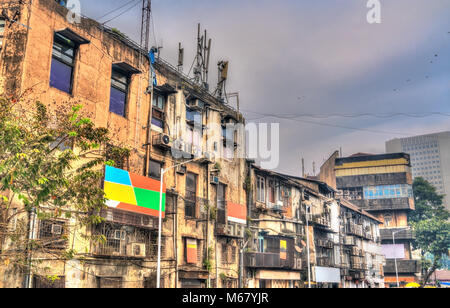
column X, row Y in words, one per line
column 291, row 218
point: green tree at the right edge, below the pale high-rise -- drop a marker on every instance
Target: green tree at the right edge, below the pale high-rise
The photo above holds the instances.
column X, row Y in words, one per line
column 430, row 225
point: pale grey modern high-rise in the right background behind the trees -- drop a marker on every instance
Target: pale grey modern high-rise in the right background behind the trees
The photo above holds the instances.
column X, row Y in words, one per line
column 430, row 159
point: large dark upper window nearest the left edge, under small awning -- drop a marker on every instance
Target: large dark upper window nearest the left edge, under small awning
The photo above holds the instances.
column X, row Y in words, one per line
column 63, row 59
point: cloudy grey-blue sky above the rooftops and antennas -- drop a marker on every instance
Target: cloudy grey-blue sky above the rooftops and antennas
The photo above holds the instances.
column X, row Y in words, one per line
column 293, row 57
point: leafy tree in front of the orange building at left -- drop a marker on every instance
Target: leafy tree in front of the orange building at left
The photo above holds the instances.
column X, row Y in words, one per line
column 50, row 167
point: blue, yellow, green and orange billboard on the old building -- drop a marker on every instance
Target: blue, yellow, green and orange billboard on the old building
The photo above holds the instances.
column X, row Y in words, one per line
column 134, row 193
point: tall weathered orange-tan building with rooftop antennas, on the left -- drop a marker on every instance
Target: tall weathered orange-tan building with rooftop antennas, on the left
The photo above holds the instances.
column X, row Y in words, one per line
column 204, row 200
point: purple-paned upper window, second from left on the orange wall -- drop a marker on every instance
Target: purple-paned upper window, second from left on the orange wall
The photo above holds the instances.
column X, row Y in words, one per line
column 119, row 92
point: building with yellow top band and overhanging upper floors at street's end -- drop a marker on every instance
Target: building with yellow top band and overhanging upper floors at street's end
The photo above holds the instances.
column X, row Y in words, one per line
column 381, row 185
